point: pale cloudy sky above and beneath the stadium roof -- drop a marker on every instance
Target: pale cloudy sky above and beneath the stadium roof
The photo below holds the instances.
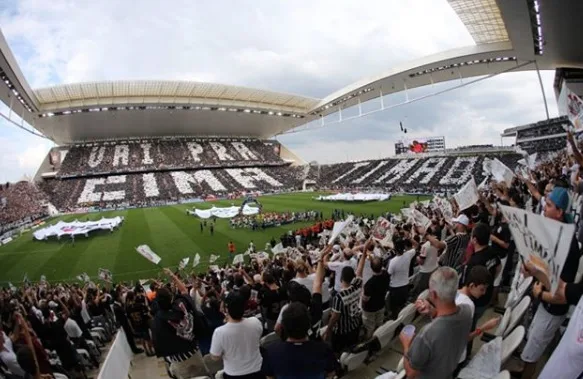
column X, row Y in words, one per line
column 306, row 47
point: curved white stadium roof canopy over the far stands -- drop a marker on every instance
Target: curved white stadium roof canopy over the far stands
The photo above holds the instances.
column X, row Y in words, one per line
column 509, row 35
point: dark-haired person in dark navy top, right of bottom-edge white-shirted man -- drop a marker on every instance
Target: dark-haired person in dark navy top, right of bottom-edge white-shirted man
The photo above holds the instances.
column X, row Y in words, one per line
column 298, row 356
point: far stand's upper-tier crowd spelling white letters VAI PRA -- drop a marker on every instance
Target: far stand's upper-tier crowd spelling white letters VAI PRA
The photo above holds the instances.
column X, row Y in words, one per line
column 115, row 157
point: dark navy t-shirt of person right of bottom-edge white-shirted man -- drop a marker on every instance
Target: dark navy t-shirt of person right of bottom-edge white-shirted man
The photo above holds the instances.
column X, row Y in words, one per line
column 310, row 360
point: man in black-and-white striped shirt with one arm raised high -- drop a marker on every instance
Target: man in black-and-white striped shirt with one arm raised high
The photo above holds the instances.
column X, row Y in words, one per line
column 346, row 317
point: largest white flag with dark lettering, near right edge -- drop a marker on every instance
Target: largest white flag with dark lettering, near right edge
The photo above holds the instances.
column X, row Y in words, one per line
column 540, row 240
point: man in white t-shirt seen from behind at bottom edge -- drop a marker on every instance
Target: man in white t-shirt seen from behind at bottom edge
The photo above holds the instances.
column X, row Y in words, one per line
column 237, row 342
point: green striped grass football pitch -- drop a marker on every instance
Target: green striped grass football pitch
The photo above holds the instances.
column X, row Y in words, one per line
column 168, row 230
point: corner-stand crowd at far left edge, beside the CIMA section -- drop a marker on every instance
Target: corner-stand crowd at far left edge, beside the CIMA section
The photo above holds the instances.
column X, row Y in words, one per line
column 20, row 203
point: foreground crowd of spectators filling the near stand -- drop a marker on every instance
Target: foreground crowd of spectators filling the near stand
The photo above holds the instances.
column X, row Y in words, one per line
column 313, row 300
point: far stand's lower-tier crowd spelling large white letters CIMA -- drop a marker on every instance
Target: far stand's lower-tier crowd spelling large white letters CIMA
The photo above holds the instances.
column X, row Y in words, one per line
column 157, row 188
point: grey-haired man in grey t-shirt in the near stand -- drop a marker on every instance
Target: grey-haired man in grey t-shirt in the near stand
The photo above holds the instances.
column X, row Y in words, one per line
column 436, row 350
